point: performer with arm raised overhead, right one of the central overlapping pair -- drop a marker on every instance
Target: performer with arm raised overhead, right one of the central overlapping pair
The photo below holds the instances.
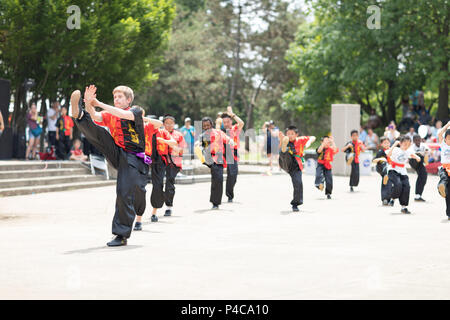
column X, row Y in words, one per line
column 231, row 154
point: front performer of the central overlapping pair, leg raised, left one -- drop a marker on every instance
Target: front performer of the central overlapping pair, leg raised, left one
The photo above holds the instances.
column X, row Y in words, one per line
column 210, row 150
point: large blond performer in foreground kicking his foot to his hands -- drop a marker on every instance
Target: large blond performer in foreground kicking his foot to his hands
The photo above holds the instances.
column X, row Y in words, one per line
column 123, row 147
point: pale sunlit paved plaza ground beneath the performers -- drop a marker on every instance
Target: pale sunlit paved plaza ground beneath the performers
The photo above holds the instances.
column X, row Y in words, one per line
column 53, row 245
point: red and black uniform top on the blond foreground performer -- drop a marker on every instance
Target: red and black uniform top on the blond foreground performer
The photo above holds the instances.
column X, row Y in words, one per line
column 127, row 134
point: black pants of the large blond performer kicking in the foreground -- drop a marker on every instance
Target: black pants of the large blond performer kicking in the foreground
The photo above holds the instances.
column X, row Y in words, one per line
column 131, row 176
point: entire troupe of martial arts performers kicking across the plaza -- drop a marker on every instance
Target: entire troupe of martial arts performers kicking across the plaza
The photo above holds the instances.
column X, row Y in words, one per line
column 135, row 144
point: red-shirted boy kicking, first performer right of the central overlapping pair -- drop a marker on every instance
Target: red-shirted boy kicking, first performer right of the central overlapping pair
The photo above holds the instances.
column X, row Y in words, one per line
column 291, row 160
